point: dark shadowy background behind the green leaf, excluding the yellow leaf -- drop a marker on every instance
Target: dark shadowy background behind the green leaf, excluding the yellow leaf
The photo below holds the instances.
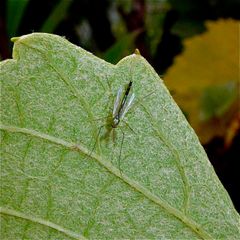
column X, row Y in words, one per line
column 113, row 29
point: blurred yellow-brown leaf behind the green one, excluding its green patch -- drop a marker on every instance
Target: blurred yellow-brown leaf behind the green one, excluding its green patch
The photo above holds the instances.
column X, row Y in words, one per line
column 208, row 60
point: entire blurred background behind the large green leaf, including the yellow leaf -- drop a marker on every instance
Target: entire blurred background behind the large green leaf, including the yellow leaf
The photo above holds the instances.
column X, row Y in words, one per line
column 192, row 44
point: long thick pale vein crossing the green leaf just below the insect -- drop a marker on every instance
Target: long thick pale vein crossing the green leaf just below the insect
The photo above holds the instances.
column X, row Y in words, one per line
column 113, row 170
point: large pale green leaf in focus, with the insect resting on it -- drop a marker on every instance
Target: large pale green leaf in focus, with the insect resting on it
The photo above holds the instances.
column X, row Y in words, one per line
column 56, row 185
